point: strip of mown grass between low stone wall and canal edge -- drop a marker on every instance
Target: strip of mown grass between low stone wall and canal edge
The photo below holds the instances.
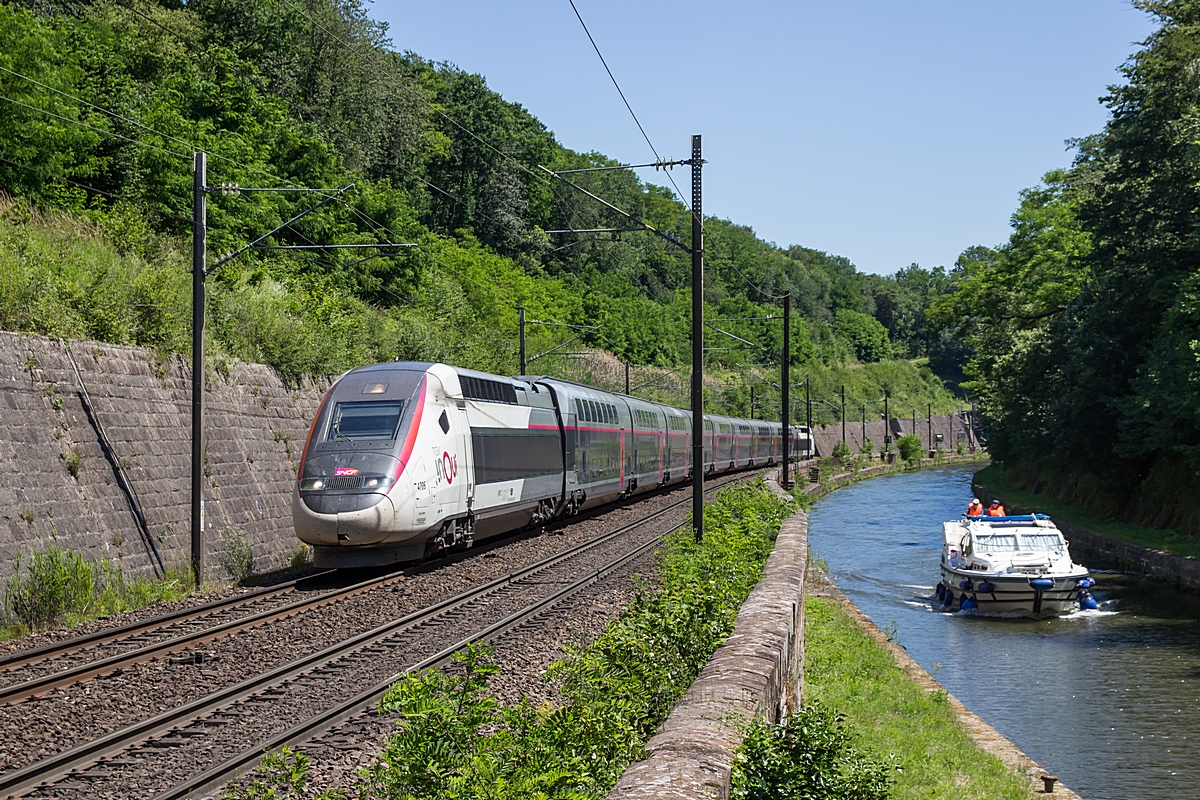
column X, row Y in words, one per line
column 847, row 671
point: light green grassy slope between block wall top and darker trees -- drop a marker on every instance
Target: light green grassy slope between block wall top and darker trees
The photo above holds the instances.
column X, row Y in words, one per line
column 64, row 276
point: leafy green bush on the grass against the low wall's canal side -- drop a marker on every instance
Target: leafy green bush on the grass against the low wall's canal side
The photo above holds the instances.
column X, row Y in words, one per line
column 811, row 756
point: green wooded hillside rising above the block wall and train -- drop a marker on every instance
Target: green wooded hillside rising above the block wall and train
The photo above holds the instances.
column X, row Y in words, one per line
column 106, row 101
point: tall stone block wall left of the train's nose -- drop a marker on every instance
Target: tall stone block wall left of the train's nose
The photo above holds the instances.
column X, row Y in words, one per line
column 57, row 484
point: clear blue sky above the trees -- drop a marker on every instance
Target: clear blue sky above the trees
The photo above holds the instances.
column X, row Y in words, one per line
column 886, row 133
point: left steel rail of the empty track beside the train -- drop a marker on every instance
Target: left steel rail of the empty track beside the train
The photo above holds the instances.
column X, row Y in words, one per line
column 58, row 766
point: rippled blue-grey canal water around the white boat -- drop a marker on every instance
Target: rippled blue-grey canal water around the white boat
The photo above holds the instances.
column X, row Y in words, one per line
column 1108, row 701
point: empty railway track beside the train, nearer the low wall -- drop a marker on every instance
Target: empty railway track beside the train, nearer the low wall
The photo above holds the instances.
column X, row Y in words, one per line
column 320, row 689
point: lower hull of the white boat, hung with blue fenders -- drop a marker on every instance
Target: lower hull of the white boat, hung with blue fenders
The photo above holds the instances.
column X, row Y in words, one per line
column 1013, row 594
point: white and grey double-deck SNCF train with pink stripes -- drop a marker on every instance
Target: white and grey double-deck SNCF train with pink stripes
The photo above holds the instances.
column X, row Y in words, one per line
column 405, row 460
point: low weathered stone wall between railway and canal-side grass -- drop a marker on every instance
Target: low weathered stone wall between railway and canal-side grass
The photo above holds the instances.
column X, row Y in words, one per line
column 751, row 676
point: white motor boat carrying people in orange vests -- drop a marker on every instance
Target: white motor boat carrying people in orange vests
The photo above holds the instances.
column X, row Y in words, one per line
column 1015, row 566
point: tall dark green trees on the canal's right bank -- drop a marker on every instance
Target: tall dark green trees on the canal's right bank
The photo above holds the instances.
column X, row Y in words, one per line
column 1087, row 323
